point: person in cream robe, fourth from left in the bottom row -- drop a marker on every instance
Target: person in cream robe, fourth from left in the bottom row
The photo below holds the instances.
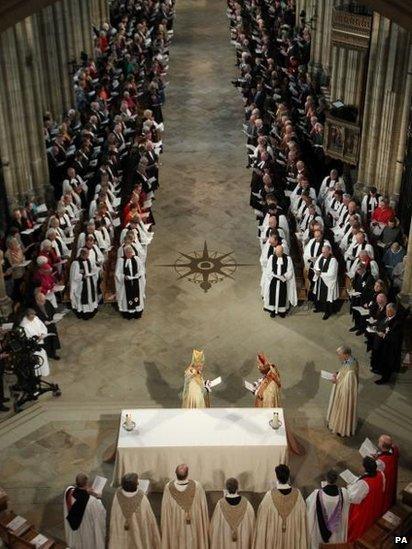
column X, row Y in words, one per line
column 233, row 520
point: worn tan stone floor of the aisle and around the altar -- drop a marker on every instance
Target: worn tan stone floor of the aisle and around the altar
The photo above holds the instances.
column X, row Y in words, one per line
column 110, row 363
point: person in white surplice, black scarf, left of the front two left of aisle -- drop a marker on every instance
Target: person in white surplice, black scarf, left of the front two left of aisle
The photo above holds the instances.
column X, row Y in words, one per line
column 83, row 286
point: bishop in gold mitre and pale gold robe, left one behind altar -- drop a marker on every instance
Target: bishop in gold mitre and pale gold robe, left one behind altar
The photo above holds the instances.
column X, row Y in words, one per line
column 195, row 391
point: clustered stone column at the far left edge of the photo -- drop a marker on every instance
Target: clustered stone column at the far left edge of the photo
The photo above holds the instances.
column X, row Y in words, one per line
column 22, row 148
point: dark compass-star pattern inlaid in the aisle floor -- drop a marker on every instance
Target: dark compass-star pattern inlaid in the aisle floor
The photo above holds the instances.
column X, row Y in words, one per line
column 206, row 268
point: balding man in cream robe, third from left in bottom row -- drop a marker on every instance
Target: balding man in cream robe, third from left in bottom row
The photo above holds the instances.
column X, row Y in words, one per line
column 184, row 514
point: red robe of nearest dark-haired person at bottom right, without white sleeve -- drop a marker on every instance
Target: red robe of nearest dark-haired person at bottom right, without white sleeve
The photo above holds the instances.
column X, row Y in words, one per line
column 362, row 515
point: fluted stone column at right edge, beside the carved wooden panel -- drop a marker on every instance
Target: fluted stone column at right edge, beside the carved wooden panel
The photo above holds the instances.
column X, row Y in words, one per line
column 386, row 109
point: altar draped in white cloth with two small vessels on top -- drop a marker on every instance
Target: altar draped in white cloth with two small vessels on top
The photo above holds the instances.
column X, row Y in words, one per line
column 216, row 443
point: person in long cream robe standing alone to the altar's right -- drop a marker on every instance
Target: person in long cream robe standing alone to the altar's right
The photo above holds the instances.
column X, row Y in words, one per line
column 342, row 411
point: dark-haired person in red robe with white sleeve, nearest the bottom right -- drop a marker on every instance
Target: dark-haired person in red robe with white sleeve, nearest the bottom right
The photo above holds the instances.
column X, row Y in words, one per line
column 366, row 495
